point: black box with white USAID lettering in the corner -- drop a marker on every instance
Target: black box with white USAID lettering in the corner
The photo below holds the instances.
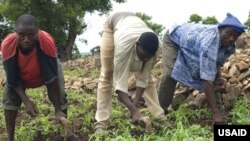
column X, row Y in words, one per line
column 233, row 131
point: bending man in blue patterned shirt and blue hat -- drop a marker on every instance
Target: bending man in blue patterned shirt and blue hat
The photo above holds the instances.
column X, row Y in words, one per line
column 193, row 54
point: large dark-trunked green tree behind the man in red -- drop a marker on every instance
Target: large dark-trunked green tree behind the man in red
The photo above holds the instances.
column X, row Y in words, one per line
column 64, row 19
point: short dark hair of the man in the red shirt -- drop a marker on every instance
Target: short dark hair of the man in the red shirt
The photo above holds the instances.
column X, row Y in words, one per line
column 26, row 20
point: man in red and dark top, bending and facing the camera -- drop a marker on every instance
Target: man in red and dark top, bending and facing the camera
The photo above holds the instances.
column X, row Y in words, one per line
column 30, row 61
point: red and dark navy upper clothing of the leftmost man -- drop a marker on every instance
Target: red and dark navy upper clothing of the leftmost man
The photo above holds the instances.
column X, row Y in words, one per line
column 33, row 70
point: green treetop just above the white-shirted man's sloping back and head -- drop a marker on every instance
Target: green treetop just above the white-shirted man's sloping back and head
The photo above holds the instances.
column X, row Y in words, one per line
column 157, row 28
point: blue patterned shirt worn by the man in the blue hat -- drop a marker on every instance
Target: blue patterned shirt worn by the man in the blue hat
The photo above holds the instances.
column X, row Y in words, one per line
column 199, row 53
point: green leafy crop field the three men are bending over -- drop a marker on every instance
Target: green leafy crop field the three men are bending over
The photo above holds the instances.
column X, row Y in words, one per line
column 191, row 124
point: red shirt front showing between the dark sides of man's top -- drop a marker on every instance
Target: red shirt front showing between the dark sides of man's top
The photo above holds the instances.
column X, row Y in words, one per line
column 30, row 69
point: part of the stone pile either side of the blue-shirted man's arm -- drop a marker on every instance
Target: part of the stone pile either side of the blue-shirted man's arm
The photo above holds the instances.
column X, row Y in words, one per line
column 235, row 82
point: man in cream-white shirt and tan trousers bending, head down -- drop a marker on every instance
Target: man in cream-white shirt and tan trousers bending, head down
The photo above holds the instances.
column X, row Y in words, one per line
column 128, row 46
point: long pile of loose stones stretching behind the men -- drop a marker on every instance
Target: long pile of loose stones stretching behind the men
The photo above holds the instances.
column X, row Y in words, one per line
column 234, row 75
